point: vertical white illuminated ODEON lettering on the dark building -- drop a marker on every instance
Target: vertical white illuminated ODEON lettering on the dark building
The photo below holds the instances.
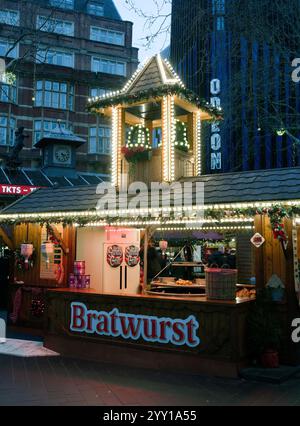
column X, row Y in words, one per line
column 215, row 139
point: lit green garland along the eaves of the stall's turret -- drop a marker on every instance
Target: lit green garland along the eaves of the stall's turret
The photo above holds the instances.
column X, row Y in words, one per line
column 155, row 93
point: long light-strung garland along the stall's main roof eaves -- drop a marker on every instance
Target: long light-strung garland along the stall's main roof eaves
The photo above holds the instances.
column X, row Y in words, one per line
column 217, row 216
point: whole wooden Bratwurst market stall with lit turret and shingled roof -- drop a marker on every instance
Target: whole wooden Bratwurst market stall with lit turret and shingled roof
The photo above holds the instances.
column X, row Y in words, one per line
column 82, row 244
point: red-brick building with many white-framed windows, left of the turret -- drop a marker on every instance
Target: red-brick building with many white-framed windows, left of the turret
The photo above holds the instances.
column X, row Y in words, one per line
column 62, row 52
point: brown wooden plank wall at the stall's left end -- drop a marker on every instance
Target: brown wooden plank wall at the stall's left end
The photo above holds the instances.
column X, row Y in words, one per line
column 32, row 233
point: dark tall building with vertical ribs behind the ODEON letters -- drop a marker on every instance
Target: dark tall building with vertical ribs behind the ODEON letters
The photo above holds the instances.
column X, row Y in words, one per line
column 237, row 55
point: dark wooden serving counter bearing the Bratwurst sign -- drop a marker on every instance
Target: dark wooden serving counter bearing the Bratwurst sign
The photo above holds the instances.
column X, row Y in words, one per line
column 191, row 335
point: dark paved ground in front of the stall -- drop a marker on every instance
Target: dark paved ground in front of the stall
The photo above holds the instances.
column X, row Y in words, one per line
column 54, row 381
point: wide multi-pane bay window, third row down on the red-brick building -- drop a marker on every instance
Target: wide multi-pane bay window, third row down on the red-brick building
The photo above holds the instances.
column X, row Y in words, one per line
column 54, row 94
